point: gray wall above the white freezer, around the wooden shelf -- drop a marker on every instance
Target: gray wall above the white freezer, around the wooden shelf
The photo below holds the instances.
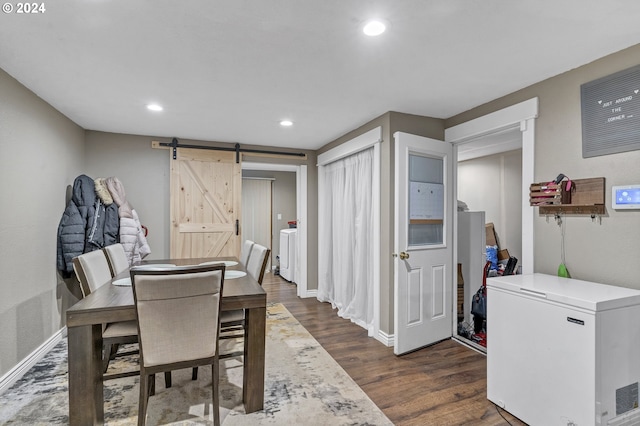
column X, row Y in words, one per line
column 606, row 252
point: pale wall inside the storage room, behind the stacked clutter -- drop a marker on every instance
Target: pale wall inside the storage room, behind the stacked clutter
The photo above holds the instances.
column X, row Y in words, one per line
column 493, row 184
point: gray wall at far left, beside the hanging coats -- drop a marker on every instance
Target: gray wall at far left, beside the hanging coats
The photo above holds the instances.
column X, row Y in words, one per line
column 41, row 153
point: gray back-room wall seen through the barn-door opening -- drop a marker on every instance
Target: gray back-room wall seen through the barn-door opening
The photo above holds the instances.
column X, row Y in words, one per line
column 283, row 201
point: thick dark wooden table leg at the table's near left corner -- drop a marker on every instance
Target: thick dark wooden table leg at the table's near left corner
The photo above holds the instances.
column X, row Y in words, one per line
column 86, row 405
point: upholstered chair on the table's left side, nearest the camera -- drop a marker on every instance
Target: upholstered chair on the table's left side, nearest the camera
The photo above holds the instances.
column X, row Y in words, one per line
column 92, row 270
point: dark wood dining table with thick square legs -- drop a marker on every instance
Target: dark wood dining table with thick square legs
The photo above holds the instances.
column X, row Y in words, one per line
column 112, row 303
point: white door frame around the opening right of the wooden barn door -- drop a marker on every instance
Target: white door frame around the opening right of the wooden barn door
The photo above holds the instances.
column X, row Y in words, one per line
column 301, row 215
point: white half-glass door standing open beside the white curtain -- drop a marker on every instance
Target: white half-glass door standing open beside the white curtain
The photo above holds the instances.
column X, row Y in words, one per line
column 424, row 220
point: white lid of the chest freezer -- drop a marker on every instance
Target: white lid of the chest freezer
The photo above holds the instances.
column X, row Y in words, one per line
column 569, row 291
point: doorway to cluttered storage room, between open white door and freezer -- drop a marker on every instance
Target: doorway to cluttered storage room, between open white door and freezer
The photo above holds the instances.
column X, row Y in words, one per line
column 489, row 216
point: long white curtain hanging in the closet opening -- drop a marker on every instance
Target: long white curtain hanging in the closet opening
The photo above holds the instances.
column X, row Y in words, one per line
column 346, row 254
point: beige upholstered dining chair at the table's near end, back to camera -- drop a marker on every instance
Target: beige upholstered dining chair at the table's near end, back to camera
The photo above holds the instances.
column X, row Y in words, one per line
column 178, row 311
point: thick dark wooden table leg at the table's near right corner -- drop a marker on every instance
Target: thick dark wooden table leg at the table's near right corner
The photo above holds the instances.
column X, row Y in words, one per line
column 254, row 358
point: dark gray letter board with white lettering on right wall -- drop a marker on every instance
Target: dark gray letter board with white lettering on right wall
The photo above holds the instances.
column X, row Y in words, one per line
column 611, row 113
